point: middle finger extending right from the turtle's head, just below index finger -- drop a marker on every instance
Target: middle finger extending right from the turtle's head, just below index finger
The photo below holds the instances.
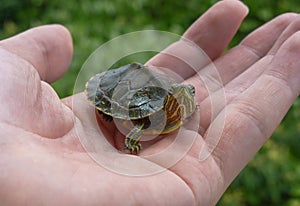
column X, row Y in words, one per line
column 240, row 58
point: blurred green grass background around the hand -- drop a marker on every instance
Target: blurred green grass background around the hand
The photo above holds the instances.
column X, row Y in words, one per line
column 273, row 176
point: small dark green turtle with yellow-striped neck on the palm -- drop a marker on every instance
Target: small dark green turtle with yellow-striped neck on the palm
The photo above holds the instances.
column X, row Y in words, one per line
column 135, row 94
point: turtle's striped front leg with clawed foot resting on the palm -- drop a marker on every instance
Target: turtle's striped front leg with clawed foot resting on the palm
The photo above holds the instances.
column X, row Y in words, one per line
column 133, row 137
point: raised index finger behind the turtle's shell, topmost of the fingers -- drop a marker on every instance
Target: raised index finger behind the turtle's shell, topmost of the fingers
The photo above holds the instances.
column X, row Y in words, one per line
column 206, row 39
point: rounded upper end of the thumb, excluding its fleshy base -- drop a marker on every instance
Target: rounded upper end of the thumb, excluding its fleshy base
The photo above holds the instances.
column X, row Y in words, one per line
column 48, row 48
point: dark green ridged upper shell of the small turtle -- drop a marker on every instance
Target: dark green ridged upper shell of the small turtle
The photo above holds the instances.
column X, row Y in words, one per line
column 129, row 92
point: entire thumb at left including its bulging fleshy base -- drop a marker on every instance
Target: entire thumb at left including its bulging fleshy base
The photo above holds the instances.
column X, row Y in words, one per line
column 43, row 53
